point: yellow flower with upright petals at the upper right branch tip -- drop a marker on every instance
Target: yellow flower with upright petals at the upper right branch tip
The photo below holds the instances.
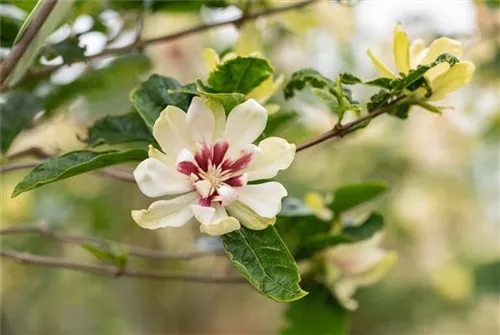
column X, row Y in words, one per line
column 442, row 78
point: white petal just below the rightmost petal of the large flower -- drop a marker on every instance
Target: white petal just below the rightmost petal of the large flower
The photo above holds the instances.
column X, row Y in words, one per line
column 264, row 199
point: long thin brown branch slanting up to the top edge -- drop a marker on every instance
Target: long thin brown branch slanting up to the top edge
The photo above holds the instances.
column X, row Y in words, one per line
column 139, row 44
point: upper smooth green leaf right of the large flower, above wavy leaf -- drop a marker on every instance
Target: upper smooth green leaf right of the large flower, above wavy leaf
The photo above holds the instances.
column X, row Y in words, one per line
column 352, row 195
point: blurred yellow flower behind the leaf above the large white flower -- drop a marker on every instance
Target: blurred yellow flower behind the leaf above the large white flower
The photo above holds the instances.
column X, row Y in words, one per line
column 261, row 93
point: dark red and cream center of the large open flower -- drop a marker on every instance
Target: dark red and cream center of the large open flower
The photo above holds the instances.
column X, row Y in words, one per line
column 213, row 174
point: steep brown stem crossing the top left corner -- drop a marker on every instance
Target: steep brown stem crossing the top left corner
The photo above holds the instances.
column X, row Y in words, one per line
column 29, row 34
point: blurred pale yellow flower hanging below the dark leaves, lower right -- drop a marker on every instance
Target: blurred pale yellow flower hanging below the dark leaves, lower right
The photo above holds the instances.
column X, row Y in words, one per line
column 350, row 266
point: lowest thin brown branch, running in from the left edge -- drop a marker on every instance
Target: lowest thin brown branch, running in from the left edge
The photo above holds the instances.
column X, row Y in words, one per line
column 112, row 271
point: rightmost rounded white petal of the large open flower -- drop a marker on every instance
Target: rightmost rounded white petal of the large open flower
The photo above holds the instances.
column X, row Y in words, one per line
column 275, row 154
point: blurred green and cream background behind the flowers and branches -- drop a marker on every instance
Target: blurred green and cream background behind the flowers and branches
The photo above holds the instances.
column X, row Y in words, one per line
column 442, row 213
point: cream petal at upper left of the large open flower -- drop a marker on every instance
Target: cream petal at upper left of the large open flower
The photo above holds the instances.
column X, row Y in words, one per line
column 172, row 132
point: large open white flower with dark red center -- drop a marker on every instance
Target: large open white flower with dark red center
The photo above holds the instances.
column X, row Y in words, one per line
column 207, row 164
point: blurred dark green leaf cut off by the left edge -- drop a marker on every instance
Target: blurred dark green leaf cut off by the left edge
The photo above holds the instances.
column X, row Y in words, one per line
column 17, row 111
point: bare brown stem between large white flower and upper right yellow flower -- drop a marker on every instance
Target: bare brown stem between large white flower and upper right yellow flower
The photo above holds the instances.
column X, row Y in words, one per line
column 342, row 130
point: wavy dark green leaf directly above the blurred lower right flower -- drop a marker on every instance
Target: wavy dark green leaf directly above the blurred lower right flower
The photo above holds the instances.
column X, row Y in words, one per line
column 350, row 234
